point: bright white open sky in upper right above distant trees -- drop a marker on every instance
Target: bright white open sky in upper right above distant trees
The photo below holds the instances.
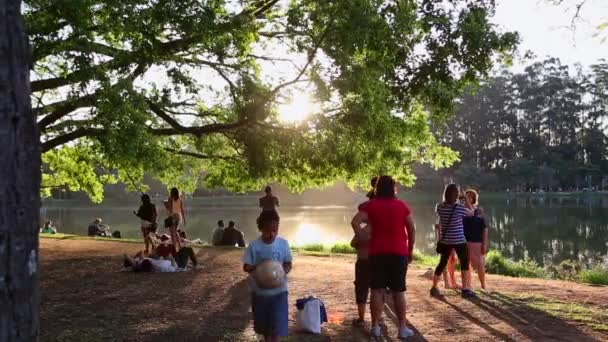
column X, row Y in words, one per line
column 545, row 28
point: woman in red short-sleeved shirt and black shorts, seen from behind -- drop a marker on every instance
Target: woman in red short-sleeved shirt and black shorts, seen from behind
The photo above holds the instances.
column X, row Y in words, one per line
column 393, row 233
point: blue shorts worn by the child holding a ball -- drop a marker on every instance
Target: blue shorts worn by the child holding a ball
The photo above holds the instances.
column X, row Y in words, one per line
column 271, row 315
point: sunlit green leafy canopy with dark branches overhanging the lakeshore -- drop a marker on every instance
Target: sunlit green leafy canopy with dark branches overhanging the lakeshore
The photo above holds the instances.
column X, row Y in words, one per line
column 190, row 90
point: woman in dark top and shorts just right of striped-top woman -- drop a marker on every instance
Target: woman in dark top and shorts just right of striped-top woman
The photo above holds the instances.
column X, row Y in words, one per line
column 476, row 233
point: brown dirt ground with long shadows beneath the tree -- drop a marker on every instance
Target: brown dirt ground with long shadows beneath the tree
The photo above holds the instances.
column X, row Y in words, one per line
column 85, row 297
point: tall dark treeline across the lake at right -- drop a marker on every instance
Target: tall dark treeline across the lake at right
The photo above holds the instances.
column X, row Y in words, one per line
column 543, row 128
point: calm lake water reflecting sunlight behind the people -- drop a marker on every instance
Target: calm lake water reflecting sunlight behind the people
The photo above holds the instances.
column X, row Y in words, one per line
column 546, row 229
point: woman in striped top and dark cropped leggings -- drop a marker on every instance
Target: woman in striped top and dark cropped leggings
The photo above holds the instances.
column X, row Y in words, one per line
column 451, row 238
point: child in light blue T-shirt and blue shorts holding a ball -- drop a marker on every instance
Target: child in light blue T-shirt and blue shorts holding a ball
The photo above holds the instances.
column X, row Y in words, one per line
column 270, row 306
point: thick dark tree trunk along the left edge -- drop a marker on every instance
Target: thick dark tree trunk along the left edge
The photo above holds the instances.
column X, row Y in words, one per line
column 19, row 183
